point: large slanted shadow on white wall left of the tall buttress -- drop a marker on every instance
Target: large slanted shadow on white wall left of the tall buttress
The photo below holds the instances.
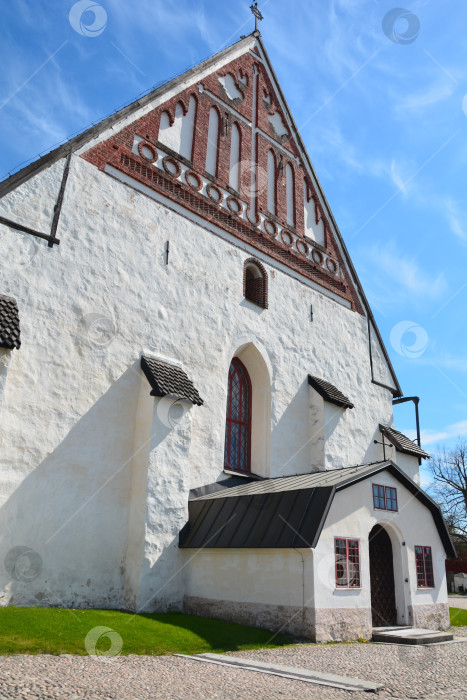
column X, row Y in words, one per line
column 64, row 529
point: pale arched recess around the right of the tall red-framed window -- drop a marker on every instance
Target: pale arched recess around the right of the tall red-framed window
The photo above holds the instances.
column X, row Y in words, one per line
column 257, row 364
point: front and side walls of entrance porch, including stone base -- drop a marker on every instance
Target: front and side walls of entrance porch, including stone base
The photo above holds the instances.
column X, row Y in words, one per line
column 220, row 581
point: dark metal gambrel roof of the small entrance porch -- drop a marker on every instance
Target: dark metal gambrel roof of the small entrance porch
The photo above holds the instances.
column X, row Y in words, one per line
column 285, row 512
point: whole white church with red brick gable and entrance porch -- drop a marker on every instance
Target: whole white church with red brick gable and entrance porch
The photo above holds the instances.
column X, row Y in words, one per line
column 196, row 405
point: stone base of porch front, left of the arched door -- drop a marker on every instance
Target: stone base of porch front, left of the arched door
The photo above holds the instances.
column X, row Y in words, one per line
column 340, row 624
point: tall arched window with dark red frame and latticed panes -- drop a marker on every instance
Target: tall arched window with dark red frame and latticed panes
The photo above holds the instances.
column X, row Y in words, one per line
column 238, row 423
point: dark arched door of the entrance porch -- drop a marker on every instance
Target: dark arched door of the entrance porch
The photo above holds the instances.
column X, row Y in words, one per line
column 383, row 599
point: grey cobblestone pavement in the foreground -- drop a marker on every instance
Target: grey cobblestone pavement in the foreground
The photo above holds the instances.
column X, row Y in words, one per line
column 407, row 672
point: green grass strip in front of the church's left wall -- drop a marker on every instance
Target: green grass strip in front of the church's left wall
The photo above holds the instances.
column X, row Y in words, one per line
column 62, row 631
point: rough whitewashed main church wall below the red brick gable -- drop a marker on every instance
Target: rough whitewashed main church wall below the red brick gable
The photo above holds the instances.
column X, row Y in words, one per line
column 72, row 408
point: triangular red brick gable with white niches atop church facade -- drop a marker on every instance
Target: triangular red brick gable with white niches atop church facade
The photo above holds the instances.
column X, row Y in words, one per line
column 249, row 98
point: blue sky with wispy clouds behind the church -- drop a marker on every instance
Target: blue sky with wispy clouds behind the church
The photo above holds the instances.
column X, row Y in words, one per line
column 383, row 115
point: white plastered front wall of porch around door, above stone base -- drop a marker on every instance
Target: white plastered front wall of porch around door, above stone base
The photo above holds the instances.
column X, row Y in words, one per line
column 352, row 515
